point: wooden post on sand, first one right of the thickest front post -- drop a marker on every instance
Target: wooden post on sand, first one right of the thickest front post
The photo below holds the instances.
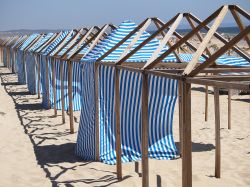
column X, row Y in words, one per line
column 217, row 132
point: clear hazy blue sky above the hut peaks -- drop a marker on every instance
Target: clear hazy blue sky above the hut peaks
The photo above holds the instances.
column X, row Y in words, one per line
column 68, row 14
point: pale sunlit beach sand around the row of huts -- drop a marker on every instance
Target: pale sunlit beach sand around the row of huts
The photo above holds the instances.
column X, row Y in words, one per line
column 36, row 149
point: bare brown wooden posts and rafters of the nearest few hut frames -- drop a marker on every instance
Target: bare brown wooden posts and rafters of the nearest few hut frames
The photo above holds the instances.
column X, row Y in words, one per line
column 187, row 77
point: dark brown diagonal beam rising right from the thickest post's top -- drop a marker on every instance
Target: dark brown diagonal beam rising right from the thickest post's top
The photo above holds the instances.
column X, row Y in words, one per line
column 218, row 53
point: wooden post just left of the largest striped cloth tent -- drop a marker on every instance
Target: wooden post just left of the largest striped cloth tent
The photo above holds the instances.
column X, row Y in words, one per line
column 70, row 94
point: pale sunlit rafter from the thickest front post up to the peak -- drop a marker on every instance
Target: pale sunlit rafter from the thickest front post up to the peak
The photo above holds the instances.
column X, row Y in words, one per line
column 205, row 41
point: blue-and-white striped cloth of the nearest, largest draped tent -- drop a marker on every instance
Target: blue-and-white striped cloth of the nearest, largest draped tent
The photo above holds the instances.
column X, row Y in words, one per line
column 161, row 142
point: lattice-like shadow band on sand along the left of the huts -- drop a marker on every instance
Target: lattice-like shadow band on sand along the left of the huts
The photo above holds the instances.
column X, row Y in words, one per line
column 49, row 156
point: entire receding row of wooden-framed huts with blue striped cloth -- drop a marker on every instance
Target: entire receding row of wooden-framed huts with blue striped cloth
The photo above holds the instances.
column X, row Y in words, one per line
column 126, row 81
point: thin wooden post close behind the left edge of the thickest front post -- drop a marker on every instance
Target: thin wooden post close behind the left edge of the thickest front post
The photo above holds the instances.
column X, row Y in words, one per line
column 180, row 84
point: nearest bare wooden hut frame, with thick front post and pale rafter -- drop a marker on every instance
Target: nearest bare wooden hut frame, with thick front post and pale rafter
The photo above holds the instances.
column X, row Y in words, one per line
column 187, row 76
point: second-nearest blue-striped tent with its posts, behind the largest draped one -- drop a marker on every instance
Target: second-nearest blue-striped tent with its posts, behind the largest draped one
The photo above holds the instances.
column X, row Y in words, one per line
column 66, row 83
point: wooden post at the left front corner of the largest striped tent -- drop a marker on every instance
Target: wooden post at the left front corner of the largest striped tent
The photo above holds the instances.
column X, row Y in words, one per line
column 97, row 112
